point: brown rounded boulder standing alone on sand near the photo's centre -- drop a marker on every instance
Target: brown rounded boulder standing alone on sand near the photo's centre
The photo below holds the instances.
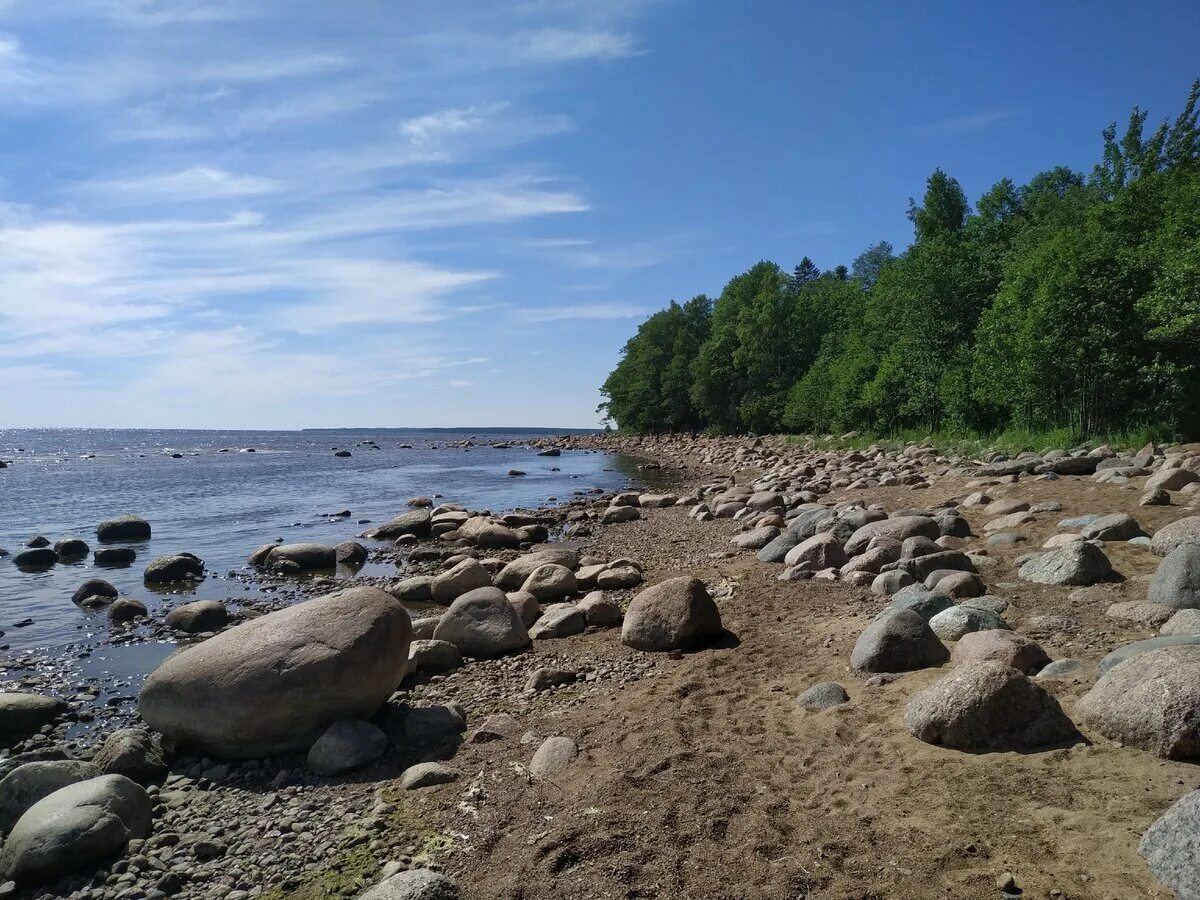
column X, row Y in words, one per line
column 675, row 615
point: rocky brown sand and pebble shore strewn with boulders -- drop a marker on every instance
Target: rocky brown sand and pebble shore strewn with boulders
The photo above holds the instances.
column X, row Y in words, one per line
column 985, row 623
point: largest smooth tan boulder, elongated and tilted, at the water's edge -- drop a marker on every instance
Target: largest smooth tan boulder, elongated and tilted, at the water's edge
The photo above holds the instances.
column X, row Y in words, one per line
column 274, row 683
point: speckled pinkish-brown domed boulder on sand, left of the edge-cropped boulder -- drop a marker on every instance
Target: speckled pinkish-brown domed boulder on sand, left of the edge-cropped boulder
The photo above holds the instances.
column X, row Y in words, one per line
column 987, row 706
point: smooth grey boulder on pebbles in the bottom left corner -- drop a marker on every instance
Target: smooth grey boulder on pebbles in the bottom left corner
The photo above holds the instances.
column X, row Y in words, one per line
column 75, row 829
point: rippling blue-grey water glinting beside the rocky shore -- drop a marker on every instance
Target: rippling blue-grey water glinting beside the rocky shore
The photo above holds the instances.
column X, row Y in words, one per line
column 221, row 506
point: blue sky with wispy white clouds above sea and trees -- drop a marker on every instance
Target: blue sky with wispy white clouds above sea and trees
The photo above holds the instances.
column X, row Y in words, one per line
column 277, row 214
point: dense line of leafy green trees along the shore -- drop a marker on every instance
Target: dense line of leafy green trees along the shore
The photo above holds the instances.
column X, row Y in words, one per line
column 1072, row 302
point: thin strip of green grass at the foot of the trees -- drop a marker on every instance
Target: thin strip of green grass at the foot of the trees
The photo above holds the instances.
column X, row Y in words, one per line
column 1011, row 442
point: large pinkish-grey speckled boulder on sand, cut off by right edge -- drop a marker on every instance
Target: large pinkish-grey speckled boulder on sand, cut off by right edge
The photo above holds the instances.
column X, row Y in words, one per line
column 1151, row 701
